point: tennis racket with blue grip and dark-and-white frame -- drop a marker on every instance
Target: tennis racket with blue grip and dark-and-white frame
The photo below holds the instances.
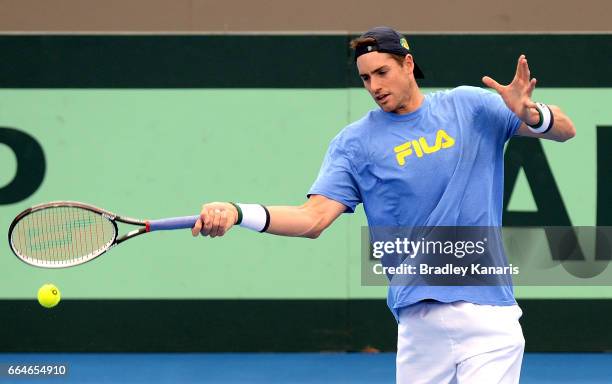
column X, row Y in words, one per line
column 63, row 234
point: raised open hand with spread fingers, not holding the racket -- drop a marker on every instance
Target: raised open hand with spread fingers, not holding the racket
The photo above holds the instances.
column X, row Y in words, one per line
column 517, row 94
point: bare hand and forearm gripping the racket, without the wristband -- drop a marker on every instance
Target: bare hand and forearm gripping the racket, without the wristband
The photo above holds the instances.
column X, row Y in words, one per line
column 308, row 220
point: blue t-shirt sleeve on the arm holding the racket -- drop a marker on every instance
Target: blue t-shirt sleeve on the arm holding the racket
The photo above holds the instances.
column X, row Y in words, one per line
column 336, row 179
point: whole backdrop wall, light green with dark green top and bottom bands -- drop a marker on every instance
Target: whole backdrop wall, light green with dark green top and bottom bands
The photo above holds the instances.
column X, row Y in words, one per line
column 154, row 125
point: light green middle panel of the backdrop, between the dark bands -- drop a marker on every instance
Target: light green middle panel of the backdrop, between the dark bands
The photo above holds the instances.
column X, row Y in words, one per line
column 158, row 152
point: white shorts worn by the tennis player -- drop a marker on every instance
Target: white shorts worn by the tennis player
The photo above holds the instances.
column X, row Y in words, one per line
column 459, row 343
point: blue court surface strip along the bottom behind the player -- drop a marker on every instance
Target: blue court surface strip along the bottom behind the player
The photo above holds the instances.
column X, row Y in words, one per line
column 259, row 368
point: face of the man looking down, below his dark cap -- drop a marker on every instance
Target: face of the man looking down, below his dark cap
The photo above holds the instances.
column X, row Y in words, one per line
column 388, row 82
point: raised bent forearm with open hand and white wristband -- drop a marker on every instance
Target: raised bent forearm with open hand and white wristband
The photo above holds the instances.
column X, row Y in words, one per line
column 539, row 120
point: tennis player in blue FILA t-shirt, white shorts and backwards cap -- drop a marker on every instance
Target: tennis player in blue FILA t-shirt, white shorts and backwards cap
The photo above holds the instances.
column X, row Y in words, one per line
column 446, row 334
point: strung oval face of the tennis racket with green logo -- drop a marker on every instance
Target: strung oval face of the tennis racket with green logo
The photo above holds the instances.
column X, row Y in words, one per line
column 62, row 235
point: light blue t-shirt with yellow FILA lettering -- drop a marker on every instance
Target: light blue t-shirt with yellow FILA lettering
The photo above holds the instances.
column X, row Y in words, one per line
column 452, row 177
